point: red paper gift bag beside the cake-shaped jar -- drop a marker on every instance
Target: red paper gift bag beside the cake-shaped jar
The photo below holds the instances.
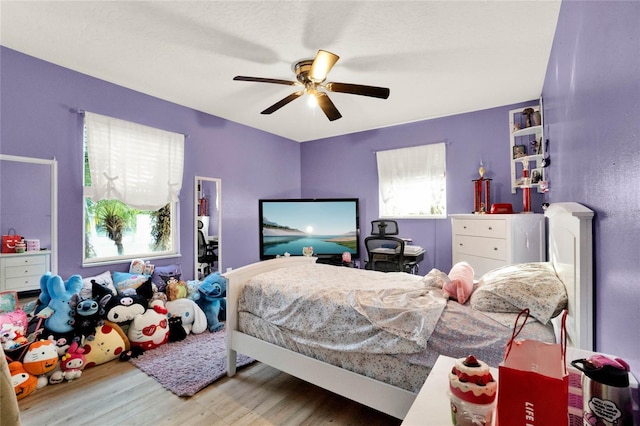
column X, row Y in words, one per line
column 533, row 383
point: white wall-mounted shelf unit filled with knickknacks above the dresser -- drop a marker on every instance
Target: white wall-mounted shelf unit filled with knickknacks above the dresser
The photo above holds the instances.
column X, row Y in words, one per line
column 528, row 147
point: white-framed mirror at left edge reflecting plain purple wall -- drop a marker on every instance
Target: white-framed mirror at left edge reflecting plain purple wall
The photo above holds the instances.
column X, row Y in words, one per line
column 29, row 201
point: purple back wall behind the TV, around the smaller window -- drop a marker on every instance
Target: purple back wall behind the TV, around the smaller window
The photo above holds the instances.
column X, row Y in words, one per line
column 346, row 166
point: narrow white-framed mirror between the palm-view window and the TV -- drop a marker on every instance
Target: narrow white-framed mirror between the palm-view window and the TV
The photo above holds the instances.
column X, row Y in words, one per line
column 207, row 226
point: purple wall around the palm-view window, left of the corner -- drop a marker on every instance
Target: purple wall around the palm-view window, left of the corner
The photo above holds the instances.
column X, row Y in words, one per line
column 38, row 99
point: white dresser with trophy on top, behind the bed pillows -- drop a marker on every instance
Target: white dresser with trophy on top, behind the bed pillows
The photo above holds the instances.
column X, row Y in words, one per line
column 489, row 241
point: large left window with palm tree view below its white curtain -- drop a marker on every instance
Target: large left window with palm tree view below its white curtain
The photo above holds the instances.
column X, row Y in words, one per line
column 132, row 179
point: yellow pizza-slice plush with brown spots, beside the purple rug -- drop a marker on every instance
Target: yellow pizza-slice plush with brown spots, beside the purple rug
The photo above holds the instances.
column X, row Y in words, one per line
column 108, row 343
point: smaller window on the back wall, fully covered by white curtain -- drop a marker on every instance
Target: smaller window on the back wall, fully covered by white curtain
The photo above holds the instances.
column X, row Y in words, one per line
column 412, row 182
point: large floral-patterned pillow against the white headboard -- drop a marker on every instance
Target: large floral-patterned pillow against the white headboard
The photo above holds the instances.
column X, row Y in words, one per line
column 515, row 287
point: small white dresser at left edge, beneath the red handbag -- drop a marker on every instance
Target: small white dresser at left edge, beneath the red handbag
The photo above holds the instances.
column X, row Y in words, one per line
column 22, row 271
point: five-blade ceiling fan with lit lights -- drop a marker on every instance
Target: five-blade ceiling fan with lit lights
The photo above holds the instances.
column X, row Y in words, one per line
column 310, row 75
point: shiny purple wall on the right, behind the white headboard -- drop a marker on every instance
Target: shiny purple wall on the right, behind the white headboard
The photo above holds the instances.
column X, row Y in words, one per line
column 592, row 109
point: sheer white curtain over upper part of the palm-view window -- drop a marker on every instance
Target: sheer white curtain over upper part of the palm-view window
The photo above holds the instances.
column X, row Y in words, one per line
column 138, row 165
